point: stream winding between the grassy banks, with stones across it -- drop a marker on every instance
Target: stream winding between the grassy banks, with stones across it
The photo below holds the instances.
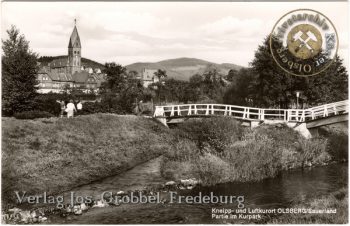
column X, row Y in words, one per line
column 288, row 188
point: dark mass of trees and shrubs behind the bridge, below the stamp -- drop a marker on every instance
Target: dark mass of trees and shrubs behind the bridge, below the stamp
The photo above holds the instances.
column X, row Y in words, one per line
column 265, row 84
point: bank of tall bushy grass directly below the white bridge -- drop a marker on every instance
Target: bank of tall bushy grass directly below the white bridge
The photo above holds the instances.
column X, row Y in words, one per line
column 219, row 150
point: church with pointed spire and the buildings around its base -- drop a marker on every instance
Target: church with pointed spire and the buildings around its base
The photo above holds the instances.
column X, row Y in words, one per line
column 68, row 72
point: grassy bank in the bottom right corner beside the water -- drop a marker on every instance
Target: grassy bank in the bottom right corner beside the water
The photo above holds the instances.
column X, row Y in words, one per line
column 337, row 200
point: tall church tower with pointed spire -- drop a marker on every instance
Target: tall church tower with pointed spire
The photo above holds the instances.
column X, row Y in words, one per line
column 74, row 51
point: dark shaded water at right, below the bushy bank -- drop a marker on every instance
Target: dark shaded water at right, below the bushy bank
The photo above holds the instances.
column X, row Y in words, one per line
column 287, row 188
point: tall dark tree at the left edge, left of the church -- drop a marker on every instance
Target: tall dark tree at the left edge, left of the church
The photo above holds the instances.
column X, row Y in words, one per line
column 19, row 72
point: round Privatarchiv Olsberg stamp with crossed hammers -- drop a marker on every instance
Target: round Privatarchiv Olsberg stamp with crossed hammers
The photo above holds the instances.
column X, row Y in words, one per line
column 304, row 42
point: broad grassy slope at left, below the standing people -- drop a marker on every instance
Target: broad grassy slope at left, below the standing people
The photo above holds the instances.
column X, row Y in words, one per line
column 55, row 155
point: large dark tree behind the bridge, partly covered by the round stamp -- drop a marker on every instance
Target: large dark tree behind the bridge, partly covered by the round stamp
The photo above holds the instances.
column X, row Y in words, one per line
column 275, row 88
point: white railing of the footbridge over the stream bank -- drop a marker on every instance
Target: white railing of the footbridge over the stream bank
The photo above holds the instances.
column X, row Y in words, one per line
column 249, row 113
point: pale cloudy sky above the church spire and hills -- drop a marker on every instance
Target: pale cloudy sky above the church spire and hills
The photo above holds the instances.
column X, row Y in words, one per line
column 129, row 32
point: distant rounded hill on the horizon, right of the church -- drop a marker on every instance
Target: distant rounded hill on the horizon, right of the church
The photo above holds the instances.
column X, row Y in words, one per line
column 183, row 68
